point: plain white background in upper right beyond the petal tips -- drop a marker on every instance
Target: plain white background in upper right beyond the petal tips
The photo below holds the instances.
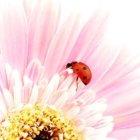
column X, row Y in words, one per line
column 124, row 24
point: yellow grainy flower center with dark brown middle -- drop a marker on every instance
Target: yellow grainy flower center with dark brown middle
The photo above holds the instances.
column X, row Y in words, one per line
column 38, row 123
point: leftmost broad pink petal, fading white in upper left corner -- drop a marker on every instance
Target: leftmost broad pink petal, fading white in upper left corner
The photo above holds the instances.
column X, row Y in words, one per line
column 13, row 36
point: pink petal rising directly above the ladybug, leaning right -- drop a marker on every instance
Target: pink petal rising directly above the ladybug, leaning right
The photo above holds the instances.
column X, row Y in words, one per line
column 89, row 37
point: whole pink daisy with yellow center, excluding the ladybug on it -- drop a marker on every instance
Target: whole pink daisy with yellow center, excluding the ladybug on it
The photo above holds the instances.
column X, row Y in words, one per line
column 38, row 94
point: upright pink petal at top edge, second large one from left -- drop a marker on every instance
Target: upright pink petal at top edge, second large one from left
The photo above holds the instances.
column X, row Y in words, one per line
column 43, row 23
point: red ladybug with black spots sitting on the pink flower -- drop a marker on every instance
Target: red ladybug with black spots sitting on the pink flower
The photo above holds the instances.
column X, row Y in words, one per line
column 82, row 70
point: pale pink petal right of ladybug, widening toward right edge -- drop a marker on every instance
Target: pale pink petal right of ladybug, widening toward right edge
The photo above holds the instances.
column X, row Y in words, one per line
column 122, row 65
